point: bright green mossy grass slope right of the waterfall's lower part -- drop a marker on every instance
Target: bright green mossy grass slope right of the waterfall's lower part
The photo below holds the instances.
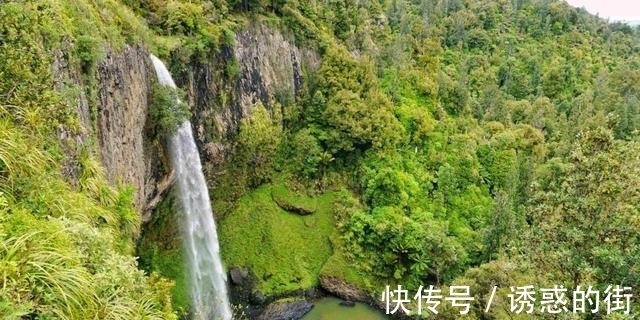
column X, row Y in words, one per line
column 284, row 250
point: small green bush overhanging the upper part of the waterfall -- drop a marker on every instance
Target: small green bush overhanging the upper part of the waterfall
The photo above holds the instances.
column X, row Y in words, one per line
column 167, row 111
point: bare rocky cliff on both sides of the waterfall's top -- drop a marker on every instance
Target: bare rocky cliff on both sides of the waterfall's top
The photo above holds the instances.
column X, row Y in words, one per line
column 262, row 66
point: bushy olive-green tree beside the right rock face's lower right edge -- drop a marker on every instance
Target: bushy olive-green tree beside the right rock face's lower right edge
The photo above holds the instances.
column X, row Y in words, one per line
column 355, row 116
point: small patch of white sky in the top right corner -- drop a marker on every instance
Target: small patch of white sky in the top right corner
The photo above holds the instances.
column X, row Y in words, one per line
column 627, row 10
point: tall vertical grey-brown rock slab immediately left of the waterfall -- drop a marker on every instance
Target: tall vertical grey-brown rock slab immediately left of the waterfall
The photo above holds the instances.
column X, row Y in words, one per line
column 124, row 97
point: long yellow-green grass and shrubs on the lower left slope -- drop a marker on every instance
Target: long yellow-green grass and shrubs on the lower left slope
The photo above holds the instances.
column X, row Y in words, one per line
column 63, row 252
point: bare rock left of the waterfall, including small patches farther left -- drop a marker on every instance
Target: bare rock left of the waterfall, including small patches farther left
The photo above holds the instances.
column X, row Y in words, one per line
column 118, row 120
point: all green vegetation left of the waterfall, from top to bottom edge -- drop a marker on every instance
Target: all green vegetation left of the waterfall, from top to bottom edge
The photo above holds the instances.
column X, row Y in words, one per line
column 65, row 250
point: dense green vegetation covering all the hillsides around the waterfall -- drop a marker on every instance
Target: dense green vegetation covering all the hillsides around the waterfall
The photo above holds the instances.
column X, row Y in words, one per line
column 436, row 142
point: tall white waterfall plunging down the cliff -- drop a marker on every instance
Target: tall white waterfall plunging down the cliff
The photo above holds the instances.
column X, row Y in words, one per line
column 207, row 276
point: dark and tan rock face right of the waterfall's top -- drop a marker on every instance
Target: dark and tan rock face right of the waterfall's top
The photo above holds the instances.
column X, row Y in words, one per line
column 263, row 66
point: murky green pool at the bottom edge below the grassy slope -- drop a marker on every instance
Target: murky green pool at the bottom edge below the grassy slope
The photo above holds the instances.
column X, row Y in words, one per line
column 330, row 309
